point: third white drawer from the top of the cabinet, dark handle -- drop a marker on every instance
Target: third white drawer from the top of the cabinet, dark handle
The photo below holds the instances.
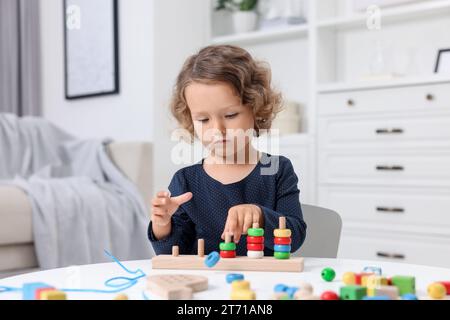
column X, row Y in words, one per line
column 418, row 168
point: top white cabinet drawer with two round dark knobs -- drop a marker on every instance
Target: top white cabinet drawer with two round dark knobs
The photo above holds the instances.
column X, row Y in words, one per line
column 428, row 97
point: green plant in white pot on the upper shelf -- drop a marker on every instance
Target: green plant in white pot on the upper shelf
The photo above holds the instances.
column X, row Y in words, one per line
column 244, row 14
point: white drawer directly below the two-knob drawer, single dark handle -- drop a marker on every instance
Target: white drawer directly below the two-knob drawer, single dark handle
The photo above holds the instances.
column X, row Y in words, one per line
column 398, row 131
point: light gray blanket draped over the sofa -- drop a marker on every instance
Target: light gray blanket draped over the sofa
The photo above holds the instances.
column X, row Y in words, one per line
column 82, row 204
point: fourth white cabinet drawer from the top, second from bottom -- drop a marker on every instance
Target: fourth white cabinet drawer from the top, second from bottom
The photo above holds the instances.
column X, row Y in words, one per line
column 415, row 210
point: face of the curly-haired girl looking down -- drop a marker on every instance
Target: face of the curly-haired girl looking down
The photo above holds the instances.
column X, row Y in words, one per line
column 220, row 120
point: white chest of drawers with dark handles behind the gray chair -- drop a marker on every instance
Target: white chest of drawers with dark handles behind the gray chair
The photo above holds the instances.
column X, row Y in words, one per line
column 384, row 166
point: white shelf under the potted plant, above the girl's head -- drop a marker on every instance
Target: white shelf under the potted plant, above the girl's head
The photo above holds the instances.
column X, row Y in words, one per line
column 274, row 34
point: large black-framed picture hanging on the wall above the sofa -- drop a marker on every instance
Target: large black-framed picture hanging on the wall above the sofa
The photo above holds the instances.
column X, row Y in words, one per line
column 91, row 50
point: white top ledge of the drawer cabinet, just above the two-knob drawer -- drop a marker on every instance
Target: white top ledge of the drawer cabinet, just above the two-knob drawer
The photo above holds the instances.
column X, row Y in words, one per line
column 364, row 85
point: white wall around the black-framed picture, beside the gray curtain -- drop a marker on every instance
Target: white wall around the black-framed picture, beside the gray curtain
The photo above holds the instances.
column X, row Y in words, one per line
column 127, row 116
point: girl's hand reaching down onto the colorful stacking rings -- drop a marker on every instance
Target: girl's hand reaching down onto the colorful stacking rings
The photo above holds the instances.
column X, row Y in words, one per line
column 241, row 218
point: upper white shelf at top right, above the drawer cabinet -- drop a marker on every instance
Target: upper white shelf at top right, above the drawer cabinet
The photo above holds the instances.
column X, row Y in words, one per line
column 390, row 15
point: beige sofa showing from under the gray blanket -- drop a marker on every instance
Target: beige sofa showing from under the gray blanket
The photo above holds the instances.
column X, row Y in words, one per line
column 17, row 253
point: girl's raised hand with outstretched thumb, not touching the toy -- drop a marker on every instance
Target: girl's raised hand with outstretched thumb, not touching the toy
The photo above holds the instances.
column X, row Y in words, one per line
column 164, row 206
